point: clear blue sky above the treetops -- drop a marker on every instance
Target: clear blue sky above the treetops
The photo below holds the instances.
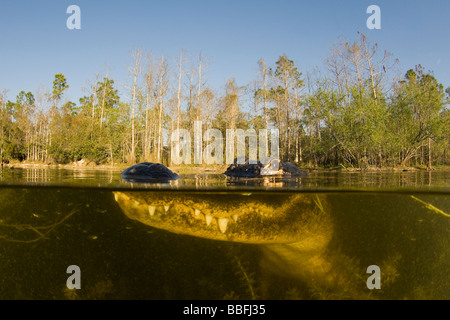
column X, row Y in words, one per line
column 231, row 35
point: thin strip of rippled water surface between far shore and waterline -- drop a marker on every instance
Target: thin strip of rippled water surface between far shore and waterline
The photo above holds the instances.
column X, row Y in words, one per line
column 315, row 179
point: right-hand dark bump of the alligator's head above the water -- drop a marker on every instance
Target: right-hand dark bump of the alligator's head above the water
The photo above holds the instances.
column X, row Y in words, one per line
column 244, row 168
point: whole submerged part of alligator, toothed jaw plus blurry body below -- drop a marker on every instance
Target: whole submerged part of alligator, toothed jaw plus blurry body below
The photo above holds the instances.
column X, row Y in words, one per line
column 294, row 231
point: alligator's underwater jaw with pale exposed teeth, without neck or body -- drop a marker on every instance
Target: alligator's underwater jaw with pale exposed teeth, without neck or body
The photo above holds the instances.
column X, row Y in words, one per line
column 236, row 217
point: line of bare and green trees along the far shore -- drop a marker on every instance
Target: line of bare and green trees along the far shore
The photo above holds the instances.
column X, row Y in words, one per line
column 353, row 112
